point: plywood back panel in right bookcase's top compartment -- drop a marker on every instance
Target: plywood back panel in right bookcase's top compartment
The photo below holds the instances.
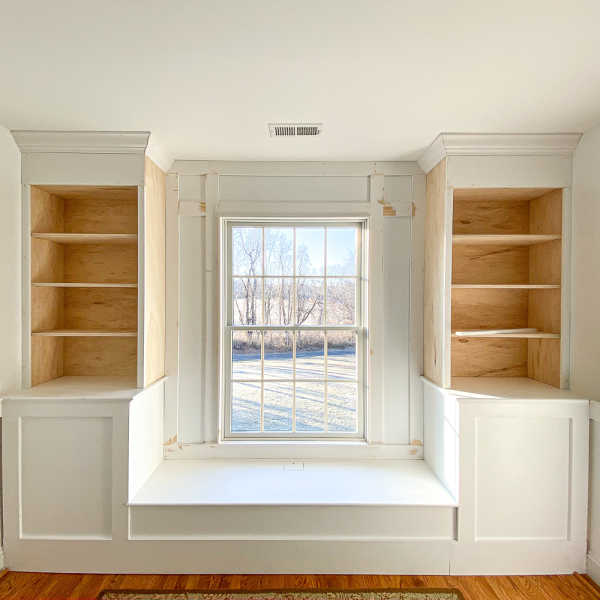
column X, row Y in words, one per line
column 488, row 217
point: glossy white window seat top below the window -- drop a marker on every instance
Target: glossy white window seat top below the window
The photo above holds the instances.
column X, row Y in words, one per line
column 305, row 483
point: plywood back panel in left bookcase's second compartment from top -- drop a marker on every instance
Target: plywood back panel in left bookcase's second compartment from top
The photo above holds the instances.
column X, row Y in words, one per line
column 100, row 263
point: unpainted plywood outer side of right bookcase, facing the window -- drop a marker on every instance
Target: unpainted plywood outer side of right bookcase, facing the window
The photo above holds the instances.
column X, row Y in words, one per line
column 435, row 274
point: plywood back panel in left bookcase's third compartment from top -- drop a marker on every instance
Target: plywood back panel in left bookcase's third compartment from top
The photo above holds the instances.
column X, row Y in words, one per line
column 100, row 308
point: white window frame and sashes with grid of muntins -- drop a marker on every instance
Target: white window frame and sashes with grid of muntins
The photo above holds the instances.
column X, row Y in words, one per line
column 358, row 327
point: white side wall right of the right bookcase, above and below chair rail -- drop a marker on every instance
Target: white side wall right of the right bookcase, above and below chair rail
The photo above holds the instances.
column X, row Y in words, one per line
column 585, row 320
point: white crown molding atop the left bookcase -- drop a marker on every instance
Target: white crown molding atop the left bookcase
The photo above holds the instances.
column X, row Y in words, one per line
column 94, row 142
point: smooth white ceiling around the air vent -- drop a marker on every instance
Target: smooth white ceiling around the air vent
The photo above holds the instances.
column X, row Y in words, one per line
column 384, row 77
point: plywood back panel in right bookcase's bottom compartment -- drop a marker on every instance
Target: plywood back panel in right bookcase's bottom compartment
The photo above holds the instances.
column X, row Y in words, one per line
column 489, row 357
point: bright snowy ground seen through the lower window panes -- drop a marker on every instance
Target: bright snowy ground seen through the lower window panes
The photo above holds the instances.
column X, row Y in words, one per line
column 310, row 396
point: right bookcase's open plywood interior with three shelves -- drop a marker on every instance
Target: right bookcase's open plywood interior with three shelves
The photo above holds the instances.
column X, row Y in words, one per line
column 506, row 274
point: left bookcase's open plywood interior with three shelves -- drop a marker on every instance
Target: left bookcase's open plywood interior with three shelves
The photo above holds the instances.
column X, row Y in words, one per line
column 84, row 297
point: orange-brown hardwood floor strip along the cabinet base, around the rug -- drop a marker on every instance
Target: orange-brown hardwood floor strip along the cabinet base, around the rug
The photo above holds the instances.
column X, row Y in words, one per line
column 50, row 586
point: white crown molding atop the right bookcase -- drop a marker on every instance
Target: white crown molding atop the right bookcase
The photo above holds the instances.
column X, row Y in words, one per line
column 498, row 144
